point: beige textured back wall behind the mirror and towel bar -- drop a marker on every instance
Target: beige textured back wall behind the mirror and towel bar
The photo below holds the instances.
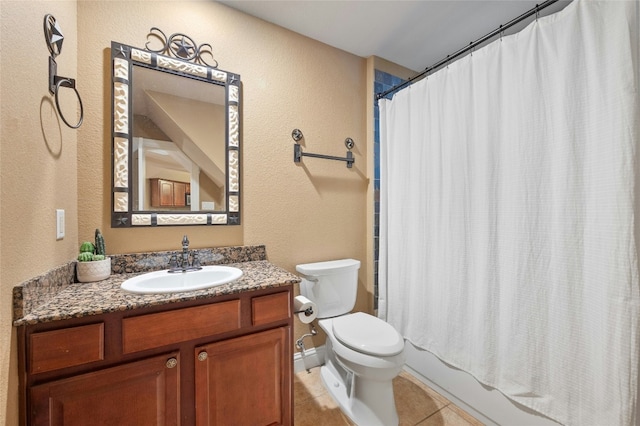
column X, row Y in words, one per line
column 302, row 213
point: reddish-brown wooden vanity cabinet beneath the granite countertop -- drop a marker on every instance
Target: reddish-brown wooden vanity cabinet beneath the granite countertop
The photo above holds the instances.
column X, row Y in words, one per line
column 193, row 363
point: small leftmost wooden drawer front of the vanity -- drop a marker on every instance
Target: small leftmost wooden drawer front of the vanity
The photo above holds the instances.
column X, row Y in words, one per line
column 68, row 347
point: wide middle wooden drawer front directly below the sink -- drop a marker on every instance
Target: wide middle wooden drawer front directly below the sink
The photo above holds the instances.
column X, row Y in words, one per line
column 165, row 328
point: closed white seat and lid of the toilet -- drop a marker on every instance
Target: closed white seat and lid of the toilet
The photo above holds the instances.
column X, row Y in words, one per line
column 367, row 334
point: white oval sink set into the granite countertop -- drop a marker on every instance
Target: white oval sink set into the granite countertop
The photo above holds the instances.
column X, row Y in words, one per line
column 174, row 282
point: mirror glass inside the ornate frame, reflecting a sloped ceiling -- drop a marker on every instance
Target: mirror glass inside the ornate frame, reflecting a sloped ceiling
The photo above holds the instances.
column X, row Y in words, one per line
column 179, row 129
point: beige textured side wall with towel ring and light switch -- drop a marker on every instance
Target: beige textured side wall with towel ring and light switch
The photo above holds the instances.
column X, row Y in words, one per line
column 37, row 163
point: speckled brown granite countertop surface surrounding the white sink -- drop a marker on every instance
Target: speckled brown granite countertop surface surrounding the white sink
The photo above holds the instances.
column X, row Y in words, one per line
column 83, row 299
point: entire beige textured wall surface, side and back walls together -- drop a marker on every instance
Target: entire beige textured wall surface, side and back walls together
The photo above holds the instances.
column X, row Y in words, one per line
column 302, row 212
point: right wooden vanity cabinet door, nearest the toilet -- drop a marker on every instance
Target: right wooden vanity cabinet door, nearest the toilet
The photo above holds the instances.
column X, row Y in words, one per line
column 244, row 381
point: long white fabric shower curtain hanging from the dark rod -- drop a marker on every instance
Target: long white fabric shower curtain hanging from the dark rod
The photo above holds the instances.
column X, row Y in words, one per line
column 508, row 191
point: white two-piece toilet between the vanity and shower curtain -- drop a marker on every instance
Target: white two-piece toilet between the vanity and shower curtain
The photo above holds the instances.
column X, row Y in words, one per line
column 363, row 353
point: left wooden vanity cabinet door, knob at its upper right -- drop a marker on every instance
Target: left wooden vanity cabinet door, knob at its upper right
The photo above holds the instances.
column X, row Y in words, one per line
column 138, row 393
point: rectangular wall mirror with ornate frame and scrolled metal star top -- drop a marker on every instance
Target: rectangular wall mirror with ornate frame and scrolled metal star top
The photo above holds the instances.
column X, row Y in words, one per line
column 175, row 138
